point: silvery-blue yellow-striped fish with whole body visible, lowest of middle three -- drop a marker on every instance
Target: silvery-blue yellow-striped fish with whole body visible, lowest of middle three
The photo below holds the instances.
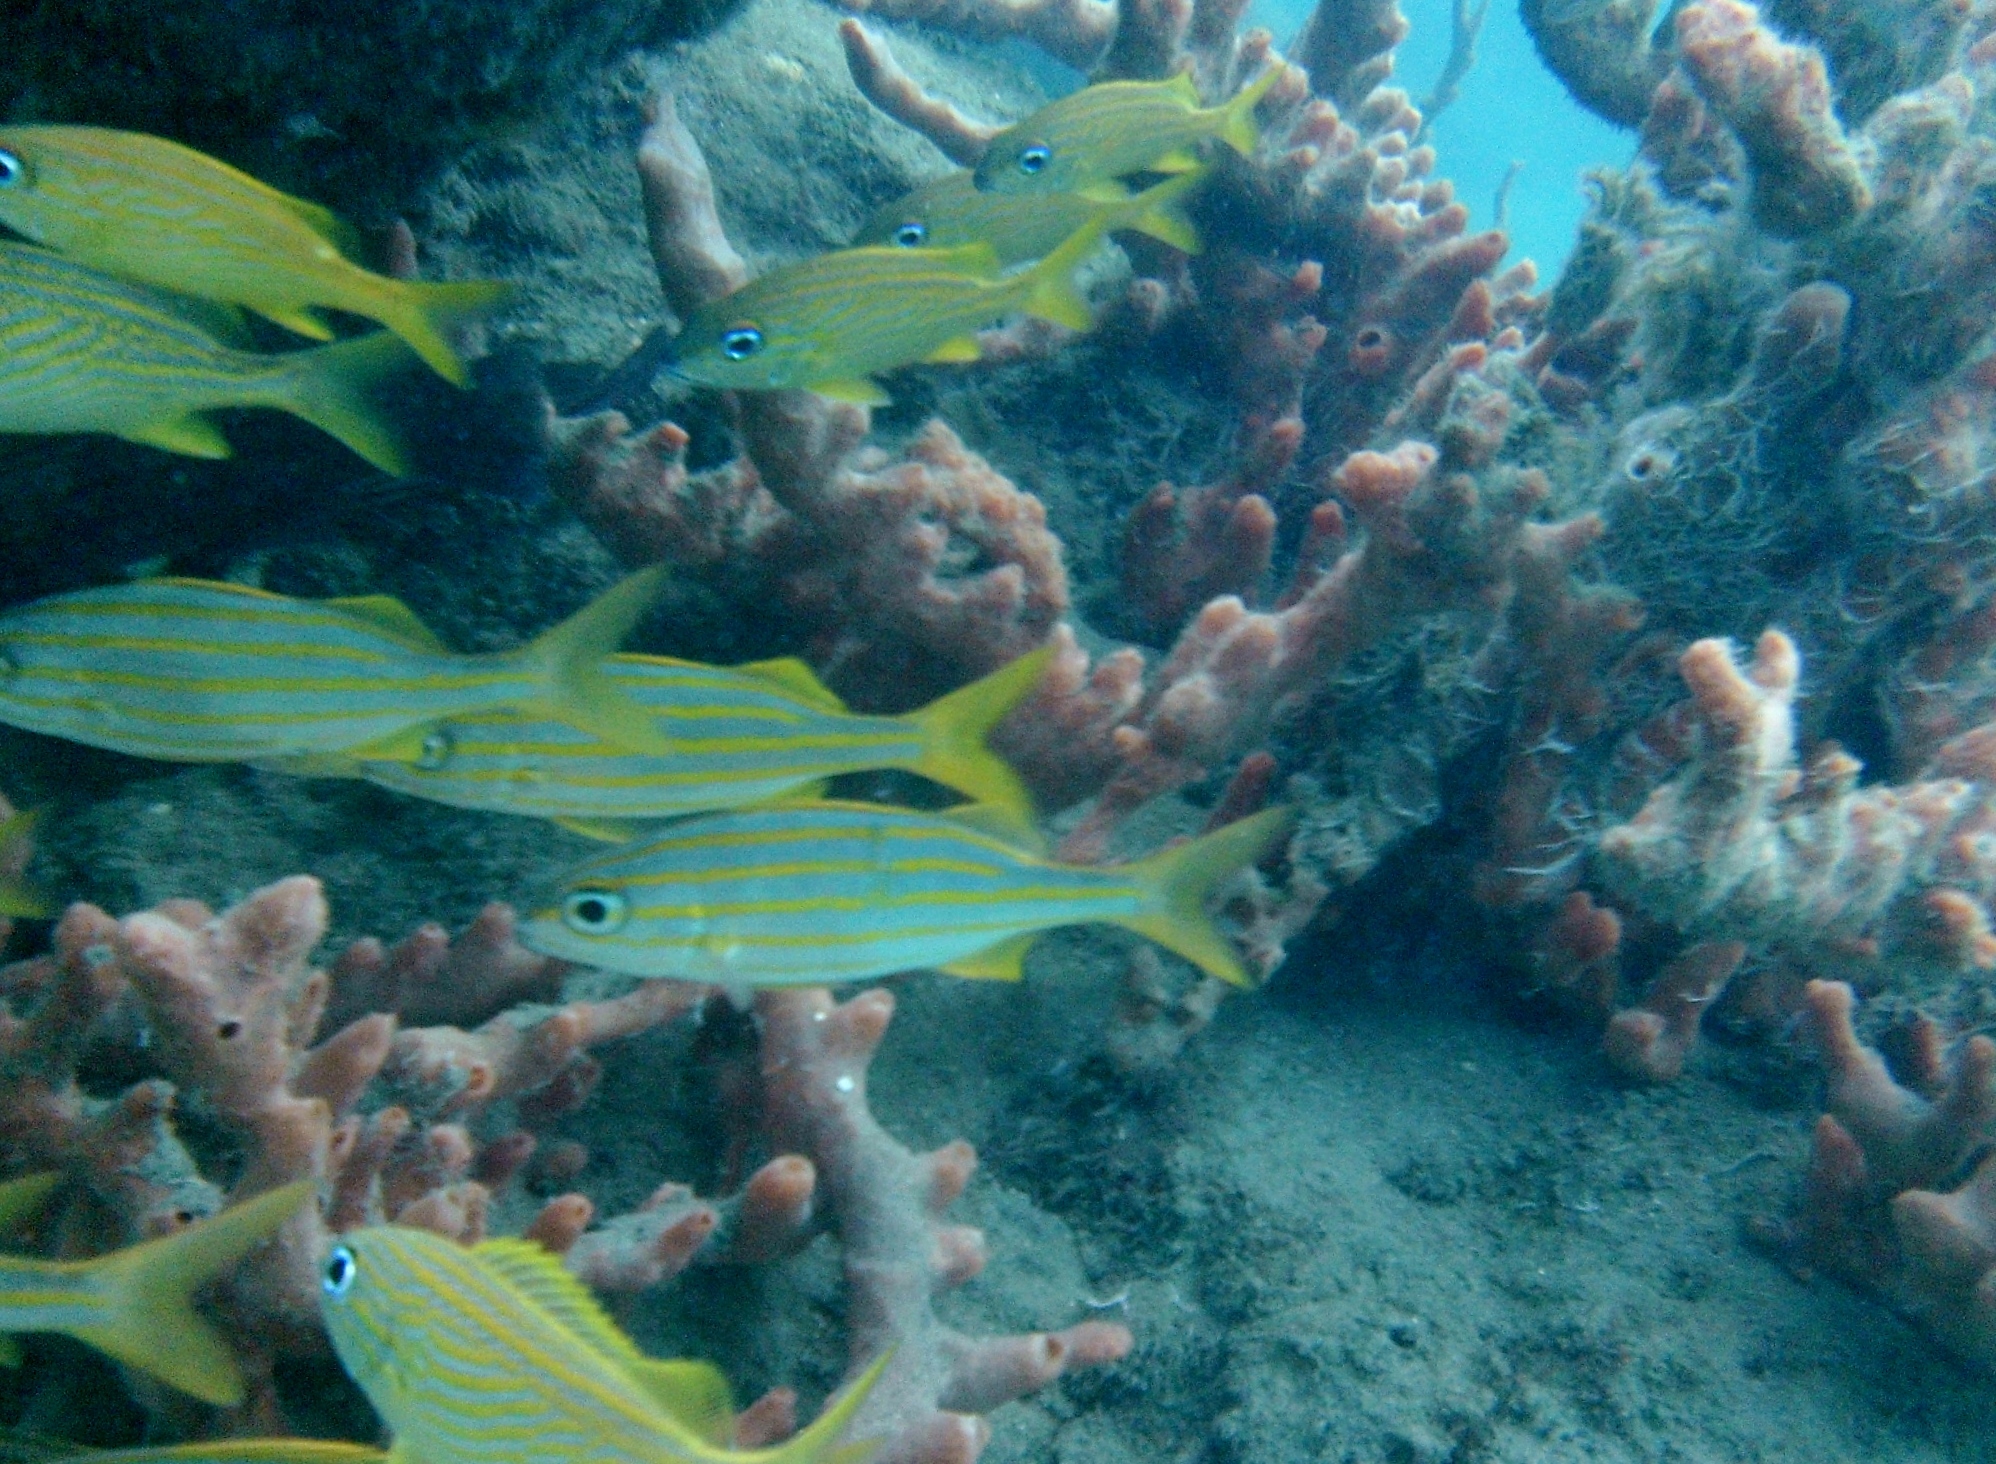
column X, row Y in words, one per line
column 815, row 894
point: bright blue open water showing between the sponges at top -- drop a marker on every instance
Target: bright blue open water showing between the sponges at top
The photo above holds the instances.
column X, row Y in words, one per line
column 1510, row 109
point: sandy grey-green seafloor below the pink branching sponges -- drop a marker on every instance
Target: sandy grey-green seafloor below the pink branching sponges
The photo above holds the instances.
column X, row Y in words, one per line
column 1358, row 1227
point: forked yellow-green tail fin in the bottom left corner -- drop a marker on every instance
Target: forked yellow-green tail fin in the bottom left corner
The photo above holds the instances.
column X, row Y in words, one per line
column 149, row 1291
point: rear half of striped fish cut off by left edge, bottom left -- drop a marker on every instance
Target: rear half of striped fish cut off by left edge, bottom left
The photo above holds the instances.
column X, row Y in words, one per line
column 137, row 1303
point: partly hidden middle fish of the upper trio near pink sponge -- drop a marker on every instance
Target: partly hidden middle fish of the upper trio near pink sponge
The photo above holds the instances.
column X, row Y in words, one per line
column 955, row 211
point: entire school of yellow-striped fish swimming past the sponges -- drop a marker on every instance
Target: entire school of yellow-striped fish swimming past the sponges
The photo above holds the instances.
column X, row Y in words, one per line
column 123, row 313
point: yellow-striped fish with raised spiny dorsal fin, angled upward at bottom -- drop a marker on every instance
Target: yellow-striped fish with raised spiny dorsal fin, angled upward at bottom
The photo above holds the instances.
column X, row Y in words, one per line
column 496, row 1355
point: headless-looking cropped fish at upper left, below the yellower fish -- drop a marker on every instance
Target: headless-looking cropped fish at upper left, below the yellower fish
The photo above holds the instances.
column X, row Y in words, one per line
column 87, row 353
